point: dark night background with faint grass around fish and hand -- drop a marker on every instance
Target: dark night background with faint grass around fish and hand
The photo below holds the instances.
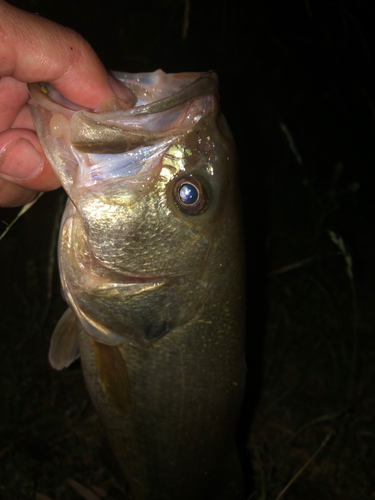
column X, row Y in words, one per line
column 297, row 88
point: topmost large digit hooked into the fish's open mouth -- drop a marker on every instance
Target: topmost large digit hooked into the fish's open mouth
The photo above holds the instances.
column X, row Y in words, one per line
column 46, row 51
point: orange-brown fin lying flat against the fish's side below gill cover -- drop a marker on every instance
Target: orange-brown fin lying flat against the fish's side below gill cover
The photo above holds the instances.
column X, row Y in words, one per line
column 113, row 375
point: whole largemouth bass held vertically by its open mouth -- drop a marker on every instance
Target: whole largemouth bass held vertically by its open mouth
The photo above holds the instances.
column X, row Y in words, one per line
column 151, row 259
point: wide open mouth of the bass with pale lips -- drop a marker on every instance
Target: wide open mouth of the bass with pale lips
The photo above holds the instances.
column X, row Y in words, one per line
column 120, row 130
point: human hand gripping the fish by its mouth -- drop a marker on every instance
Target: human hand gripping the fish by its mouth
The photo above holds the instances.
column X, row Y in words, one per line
column 33, row 49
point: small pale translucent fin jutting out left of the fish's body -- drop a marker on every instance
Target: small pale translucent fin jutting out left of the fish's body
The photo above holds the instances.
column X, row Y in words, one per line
column 64, row 348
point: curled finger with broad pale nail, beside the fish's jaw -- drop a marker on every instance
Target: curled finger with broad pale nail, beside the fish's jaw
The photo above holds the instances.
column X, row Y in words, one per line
column 23, row 162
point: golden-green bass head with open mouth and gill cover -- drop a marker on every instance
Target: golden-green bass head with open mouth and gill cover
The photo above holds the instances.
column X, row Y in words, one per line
column 151, row 190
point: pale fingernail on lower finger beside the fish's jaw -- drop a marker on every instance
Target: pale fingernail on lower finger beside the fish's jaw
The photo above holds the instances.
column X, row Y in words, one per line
column 20, row 160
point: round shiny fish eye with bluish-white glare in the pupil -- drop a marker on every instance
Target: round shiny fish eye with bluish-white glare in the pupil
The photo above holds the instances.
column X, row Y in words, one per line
column 191, row 195
